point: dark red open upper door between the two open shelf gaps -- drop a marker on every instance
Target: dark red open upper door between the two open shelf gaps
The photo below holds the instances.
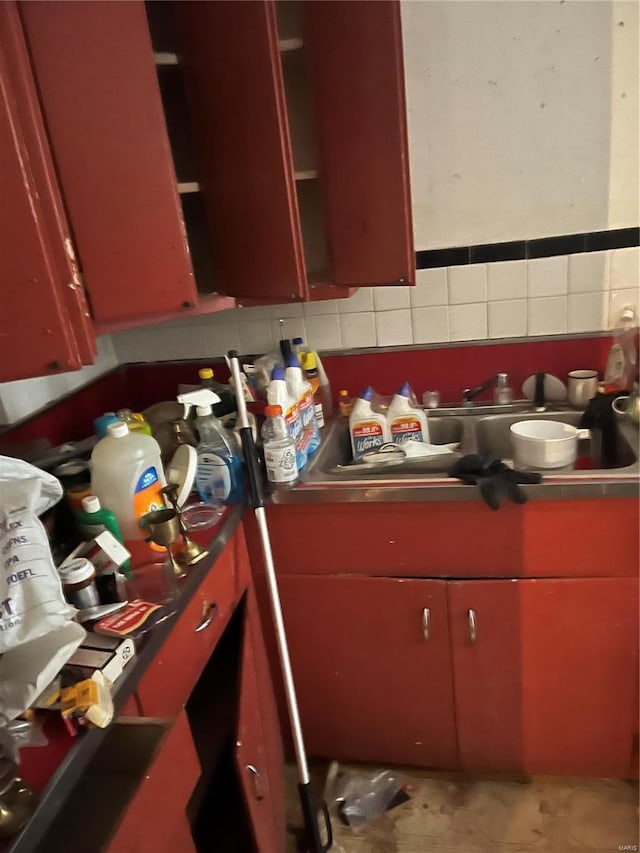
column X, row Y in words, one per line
column 234, row 85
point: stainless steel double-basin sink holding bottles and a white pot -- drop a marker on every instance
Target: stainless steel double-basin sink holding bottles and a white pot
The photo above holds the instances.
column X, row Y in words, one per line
column 477, row 429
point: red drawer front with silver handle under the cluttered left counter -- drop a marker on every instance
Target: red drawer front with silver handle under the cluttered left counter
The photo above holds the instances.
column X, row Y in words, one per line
column 177, row 666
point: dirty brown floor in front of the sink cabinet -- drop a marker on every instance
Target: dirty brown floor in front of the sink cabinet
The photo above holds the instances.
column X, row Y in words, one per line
column 487, row 814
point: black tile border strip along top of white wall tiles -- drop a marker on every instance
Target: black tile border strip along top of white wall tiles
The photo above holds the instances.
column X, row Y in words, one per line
column 566, row 244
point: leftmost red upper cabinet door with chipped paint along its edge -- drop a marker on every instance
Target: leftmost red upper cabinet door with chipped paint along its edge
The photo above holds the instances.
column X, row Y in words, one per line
column 43, row 327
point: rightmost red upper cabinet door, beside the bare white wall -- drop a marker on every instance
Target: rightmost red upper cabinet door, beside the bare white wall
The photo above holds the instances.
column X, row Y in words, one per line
column 358, row 86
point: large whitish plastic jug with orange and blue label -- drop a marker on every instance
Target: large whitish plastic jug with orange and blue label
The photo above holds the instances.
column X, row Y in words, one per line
column 127, row 477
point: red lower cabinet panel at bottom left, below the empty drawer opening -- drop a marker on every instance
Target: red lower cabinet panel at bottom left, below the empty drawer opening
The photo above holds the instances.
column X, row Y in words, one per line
column 156, row 818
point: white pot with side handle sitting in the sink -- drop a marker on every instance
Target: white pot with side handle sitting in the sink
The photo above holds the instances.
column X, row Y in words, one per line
column 545, row 444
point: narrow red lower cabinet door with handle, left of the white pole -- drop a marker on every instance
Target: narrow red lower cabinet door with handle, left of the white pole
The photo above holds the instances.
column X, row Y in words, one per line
column 251, row 753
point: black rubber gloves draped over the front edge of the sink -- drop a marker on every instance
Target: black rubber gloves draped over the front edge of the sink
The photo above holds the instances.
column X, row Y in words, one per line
column 496, row 480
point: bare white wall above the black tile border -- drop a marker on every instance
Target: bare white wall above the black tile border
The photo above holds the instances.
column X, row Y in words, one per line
column 523, row 118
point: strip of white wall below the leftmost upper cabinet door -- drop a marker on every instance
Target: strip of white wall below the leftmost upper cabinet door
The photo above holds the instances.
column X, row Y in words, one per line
column 22, row 398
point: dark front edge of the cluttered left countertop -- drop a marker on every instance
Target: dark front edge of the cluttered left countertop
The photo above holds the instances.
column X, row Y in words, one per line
column 84, row 747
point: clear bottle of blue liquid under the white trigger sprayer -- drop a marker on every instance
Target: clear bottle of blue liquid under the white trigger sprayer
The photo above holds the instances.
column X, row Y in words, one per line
column 219, row 471
